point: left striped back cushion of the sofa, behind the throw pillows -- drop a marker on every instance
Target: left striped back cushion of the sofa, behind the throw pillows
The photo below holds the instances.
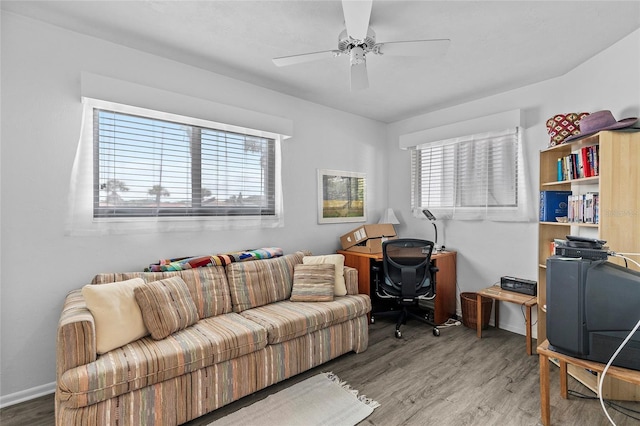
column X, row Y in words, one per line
column 208, row 286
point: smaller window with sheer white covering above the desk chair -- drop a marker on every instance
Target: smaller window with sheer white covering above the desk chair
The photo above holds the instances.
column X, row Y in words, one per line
column 474, row 177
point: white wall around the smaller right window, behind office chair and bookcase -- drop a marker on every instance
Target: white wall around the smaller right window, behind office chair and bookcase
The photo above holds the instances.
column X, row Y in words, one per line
column 489, row 250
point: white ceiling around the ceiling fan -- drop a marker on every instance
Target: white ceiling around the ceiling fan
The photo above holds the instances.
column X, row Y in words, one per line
column 495, row 45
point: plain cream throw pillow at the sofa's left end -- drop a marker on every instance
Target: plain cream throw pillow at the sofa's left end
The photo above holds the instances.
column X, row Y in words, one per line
column 116, row 313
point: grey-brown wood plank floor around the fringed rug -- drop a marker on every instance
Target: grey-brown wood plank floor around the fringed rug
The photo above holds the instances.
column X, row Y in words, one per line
column 455, row 379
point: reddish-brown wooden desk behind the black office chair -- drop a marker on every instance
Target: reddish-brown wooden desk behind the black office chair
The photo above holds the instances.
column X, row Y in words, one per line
column 445, row 302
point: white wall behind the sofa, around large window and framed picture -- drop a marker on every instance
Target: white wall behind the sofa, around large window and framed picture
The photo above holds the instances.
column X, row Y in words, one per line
column 41, row 113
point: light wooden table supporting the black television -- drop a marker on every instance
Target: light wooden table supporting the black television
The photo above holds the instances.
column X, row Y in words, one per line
column 624, row 374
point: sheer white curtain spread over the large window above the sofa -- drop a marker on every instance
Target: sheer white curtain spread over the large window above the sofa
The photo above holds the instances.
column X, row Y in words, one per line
column 139, row 170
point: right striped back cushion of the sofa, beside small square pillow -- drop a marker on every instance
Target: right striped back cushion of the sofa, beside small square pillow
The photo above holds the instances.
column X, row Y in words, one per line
column 260, row 282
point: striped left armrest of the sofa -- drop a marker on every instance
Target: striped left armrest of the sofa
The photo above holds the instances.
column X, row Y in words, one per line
column 76, row 339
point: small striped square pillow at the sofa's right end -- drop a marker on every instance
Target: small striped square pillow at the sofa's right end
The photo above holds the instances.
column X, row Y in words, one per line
column 313, row 283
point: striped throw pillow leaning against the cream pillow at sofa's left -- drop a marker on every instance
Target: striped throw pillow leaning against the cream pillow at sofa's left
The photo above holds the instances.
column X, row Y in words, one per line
column 166, row 306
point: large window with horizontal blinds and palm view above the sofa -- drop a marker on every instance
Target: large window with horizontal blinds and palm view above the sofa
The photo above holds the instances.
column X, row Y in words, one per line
column 150, row 167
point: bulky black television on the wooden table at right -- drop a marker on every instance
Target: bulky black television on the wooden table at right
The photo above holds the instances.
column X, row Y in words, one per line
column 592, row 305
